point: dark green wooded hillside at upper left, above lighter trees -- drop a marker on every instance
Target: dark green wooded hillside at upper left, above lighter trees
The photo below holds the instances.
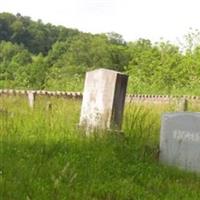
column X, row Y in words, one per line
column 35, row 36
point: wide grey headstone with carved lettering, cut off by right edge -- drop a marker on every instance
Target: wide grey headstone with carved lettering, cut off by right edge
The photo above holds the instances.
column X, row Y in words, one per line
column 180, row 140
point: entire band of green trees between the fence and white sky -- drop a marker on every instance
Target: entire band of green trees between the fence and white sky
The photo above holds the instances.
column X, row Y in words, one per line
column 37, row 55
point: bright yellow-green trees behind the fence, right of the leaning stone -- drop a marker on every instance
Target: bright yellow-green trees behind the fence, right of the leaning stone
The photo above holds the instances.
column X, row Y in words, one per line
column 161, row 68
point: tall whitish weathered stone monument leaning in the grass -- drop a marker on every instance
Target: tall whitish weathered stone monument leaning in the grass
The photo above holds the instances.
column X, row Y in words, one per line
column 103, row 100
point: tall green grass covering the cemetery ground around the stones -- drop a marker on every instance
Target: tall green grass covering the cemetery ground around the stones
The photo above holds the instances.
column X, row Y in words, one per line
column 44, row 155
